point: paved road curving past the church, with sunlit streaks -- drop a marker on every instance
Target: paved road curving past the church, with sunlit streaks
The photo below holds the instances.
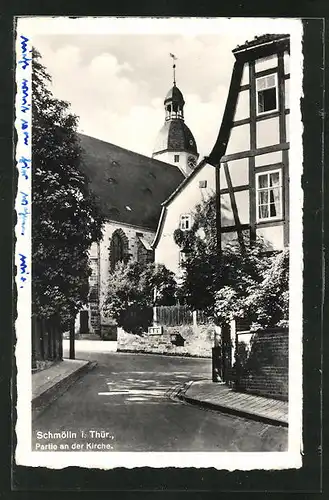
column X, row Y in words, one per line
column 124, row 404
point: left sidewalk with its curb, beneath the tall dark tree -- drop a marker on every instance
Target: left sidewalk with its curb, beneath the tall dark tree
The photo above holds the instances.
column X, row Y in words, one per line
column 49, row 384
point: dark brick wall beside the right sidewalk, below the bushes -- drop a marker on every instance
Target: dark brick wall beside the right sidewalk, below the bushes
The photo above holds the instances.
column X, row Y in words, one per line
column 262, row 366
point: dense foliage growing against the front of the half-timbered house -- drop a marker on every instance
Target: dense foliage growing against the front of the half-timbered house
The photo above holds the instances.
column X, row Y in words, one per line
column 223, row 285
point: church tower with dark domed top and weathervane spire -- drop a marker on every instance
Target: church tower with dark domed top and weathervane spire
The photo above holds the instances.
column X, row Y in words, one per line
column 175, row 143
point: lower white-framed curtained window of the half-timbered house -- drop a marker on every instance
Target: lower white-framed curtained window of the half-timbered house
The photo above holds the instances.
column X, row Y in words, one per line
column 269, row 195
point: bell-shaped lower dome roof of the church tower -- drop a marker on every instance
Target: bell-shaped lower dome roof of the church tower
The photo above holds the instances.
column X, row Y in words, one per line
column 175, row 136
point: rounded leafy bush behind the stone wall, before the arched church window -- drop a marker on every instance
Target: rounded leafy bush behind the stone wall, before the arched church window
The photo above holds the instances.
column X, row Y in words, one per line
column 133, row 289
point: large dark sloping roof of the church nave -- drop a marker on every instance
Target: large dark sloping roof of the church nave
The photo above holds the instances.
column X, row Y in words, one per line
column 129, row 187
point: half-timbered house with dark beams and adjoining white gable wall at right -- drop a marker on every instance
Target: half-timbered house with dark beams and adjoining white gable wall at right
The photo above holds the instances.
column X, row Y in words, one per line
column 248, row 166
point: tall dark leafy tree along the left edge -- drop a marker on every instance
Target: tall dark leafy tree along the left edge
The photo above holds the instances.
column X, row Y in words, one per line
column 65, row 216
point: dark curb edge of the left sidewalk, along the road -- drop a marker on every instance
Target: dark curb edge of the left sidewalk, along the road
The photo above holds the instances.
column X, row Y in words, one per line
column 46, row 398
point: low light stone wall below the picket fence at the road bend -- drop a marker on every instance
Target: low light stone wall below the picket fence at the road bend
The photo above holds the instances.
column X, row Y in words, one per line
column 198, row 341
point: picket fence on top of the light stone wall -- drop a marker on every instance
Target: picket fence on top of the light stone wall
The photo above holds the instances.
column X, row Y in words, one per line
column 179, row 315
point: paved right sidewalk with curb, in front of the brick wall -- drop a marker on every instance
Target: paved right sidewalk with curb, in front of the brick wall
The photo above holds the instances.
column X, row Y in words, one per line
column 220, row 397
